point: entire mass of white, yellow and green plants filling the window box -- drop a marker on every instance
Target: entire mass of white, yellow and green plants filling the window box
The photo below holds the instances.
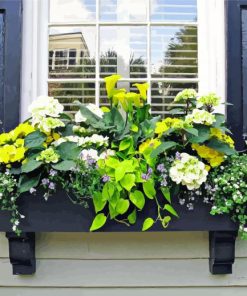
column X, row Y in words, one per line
column 118, row 158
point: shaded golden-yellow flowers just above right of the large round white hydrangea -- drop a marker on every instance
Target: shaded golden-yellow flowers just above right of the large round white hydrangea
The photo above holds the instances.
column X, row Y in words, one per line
column 213, row 157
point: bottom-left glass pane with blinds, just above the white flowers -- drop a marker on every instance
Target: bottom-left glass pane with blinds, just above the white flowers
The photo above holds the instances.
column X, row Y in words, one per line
column 69, row 92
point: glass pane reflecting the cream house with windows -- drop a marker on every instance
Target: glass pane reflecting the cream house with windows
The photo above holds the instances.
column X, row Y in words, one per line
column 72, row 52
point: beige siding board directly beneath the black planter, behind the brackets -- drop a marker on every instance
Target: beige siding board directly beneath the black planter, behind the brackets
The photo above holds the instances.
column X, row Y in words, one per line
column 122, row 246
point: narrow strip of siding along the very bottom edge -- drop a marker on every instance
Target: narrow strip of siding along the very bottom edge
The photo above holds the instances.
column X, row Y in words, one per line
column 123, row 292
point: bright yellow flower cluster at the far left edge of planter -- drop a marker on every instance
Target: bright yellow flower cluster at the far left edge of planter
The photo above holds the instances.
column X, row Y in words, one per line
column 12, row 144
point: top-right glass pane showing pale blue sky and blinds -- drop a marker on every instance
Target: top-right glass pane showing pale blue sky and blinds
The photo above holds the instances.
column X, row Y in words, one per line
column 174, row 10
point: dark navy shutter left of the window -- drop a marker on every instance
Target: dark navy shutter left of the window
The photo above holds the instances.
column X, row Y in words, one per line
column 10, row 62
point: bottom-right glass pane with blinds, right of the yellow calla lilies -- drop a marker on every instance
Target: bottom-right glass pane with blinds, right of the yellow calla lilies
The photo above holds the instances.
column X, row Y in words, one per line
column 163, row 93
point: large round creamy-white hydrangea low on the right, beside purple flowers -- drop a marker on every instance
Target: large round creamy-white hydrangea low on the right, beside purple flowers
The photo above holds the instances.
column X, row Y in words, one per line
column 188, row 171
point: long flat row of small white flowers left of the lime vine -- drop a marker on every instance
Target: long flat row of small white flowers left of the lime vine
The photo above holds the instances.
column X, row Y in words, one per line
column 95, row 139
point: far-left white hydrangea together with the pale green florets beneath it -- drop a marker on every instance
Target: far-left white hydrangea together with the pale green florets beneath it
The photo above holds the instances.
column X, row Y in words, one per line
column 45, row 112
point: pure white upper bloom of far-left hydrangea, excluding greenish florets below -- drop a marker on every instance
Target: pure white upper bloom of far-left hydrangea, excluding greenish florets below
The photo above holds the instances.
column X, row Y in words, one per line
column 45, row 106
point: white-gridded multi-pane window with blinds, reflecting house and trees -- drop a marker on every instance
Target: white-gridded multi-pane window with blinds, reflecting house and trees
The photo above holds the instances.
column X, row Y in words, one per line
column 143, row 40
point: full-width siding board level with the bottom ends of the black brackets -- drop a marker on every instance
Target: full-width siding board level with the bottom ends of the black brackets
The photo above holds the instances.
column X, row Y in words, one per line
column 124, row 273
